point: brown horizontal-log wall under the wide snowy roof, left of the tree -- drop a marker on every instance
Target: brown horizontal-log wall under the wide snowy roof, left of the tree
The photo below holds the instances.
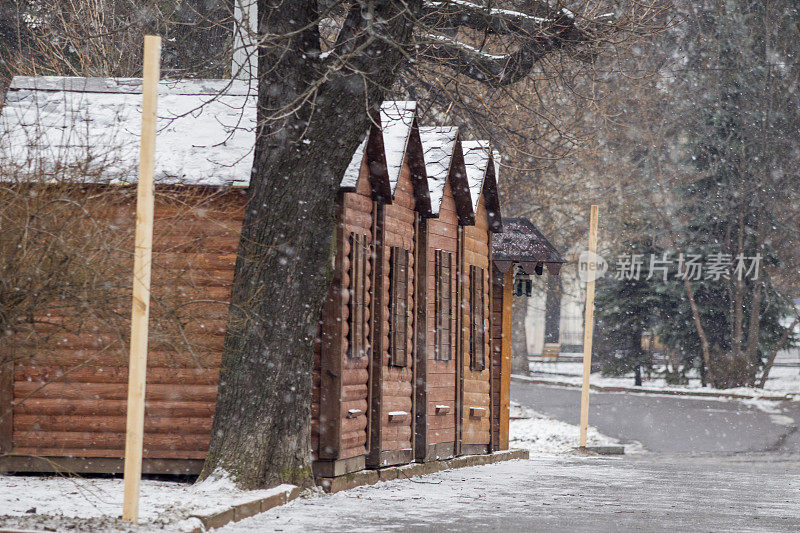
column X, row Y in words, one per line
column 70, row 372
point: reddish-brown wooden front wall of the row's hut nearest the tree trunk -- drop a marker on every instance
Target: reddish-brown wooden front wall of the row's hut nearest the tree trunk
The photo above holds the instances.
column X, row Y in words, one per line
column 340, row 393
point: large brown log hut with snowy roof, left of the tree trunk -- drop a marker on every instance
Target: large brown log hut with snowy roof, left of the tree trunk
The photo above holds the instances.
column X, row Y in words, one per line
column 67, row 377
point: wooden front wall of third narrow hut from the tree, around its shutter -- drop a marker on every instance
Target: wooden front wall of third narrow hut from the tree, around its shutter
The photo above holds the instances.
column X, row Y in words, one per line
column 440, row 376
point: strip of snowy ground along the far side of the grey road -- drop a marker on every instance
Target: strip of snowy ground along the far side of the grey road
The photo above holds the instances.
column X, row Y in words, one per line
column 783, row 380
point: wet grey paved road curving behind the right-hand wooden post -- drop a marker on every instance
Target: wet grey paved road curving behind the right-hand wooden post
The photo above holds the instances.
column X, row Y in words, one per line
column 672, row 424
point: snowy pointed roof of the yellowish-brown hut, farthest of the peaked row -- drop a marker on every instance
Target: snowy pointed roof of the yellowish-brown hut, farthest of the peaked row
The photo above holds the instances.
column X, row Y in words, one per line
column 481, row 168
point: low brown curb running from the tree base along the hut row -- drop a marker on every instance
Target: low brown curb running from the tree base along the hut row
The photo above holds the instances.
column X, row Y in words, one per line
column 349, row 481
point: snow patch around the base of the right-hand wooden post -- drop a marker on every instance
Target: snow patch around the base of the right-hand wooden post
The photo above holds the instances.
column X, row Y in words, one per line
column 543, row 436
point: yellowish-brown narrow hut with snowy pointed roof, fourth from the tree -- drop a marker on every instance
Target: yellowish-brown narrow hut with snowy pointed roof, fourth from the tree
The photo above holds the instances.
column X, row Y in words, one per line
column 475, row 268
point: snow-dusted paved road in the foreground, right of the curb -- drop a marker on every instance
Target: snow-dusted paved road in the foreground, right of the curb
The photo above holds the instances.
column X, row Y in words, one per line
column 650, row 493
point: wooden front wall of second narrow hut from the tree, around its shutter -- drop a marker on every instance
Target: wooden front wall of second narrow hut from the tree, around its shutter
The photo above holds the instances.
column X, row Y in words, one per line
column 391, row 440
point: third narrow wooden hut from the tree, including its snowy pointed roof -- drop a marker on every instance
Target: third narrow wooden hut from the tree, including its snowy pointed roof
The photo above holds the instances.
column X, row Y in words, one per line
column 438, row 358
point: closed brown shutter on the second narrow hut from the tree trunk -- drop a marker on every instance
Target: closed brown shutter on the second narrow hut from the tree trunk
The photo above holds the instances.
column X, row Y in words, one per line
column 398, row 307
